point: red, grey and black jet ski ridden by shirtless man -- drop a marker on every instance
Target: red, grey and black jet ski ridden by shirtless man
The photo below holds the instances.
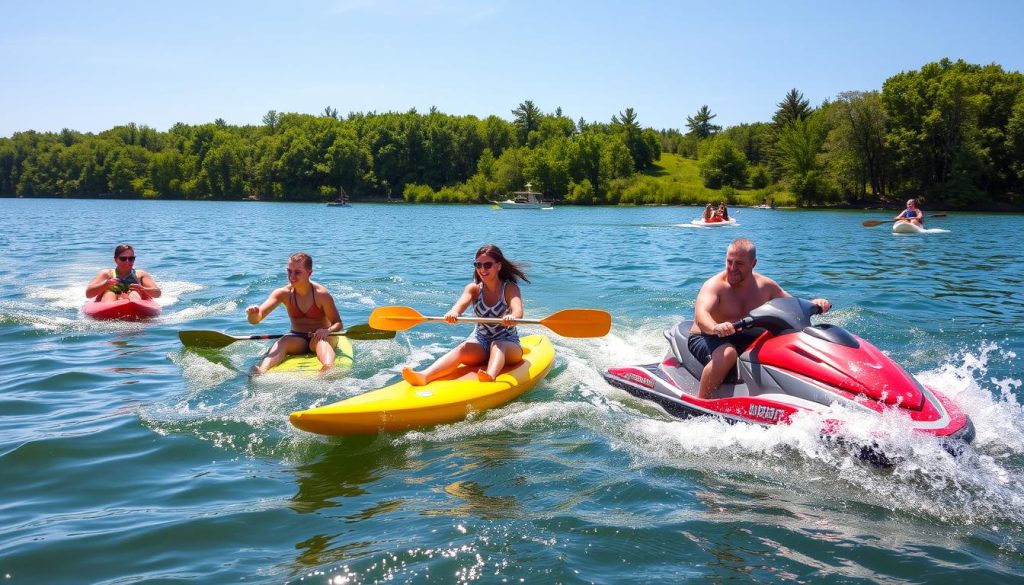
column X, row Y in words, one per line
column 795, row 367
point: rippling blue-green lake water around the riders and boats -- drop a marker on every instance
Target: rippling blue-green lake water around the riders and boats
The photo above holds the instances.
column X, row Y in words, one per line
column 124, row 458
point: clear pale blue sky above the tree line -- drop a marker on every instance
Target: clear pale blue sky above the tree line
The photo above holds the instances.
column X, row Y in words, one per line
column 92, row 66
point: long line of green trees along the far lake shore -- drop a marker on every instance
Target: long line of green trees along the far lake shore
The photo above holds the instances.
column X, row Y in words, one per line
column 953, row 133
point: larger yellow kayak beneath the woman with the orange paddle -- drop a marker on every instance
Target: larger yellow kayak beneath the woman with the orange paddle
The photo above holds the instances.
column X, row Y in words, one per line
column 401, row 407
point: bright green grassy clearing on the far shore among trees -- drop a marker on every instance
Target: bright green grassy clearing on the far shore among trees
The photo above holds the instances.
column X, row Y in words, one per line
column 676, row 181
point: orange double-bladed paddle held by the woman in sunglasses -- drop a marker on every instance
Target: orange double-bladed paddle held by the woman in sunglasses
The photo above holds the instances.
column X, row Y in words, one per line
column 568, row 323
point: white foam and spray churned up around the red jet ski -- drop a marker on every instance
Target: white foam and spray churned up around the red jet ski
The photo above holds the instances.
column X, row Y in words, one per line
column 984, row 485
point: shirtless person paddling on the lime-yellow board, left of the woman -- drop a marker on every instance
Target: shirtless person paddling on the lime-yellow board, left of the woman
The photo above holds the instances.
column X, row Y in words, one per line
column 312, row 310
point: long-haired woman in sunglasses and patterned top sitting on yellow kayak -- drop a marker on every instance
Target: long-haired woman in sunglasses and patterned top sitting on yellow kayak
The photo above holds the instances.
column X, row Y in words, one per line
column 494, row 294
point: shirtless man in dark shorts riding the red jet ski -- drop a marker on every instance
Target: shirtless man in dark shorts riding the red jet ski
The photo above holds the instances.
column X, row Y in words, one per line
column 726, row 299
